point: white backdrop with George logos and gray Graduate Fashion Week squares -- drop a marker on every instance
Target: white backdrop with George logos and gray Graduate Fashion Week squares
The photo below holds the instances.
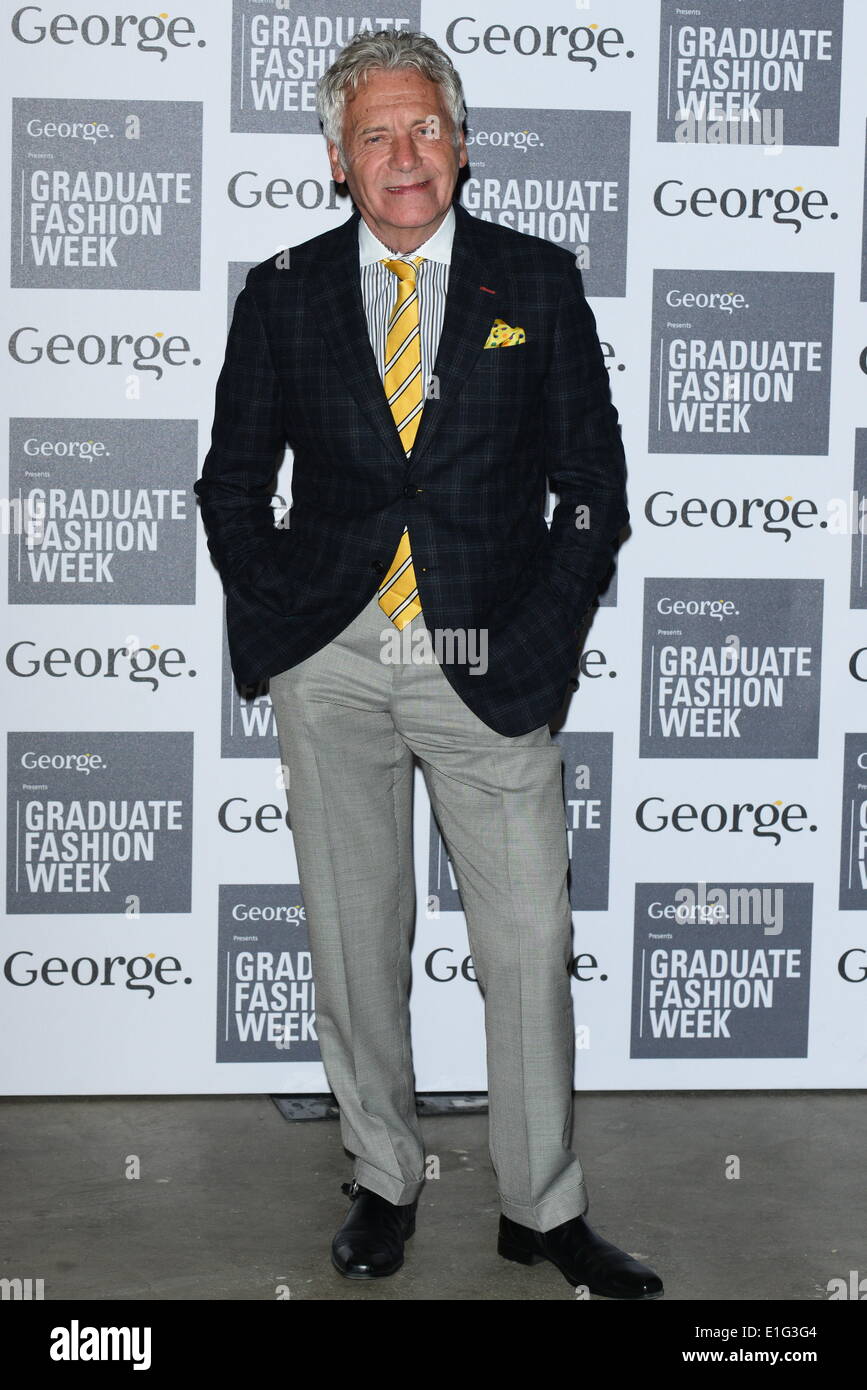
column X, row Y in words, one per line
column 707, row 166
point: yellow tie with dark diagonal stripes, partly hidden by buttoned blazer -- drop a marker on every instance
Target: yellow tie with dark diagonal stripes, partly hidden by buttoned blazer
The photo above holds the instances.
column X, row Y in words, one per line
column 398, row 594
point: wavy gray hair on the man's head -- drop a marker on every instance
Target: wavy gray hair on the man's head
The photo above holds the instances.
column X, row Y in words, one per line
column 387, row 51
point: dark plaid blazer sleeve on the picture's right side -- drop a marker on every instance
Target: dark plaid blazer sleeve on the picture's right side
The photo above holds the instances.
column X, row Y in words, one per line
column 584, row 454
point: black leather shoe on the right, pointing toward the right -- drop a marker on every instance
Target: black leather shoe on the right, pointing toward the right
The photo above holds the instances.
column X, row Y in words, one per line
column 583, row 1259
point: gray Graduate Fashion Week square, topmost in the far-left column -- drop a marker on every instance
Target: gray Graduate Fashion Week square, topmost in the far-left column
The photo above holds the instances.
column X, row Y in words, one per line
column 106, row 195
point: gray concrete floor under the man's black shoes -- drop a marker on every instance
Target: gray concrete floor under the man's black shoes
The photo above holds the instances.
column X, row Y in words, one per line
column 234, row 1203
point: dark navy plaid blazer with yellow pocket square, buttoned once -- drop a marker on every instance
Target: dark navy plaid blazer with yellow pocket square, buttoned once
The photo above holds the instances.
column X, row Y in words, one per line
column 499, row 422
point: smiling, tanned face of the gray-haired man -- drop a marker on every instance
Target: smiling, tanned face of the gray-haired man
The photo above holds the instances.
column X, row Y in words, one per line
column 402, row 163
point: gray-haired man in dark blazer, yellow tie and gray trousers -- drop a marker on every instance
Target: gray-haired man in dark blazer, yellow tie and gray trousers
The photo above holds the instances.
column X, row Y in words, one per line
column 430, row 373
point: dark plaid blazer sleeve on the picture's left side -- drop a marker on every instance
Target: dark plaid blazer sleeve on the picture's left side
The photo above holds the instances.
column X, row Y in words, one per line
column 248, row 440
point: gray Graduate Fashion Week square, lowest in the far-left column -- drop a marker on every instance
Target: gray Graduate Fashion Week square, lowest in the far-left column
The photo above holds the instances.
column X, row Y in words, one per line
column 99, row 822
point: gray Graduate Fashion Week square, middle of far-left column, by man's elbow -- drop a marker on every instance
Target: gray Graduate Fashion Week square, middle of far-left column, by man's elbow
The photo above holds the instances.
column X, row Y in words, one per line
column 108, row 511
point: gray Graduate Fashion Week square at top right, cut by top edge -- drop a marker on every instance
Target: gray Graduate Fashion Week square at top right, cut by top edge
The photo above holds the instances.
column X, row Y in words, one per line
column 726, row 60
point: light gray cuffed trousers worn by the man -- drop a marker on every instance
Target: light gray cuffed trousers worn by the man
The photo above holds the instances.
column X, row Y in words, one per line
column 349, row 726
